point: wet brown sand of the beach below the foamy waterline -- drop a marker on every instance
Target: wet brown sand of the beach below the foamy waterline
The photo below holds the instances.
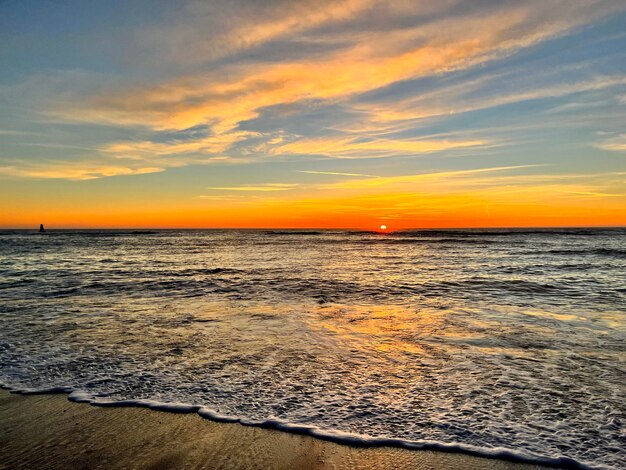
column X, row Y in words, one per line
column 48, row 431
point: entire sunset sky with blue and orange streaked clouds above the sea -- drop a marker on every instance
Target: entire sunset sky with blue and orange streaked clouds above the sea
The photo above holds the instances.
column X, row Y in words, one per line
column 357, row 113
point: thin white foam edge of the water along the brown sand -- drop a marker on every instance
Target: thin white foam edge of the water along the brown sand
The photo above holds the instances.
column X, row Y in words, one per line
column 336, row 436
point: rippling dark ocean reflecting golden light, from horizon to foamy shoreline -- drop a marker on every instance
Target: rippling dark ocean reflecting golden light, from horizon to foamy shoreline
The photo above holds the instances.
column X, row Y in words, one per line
column 507, row 343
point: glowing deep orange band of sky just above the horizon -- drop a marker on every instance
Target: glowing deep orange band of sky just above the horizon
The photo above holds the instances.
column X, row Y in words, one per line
column 396, row 210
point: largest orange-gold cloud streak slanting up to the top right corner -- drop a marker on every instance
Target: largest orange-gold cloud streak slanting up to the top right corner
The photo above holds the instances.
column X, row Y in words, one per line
column 235, row 93
